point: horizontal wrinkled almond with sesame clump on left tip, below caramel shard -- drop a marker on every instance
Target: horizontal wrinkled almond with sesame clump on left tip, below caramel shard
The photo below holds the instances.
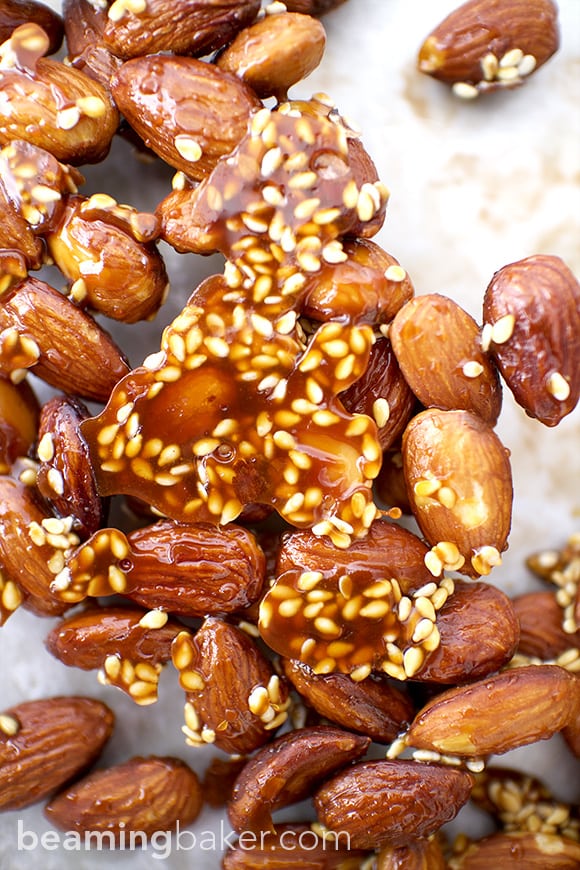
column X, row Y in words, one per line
column 187, row 569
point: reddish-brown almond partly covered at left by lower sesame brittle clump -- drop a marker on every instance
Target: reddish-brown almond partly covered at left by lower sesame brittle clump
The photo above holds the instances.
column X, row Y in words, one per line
column 479, row 634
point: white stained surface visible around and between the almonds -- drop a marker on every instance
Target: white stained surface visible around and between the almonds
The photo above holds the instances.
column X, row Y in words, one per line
column 474, row 186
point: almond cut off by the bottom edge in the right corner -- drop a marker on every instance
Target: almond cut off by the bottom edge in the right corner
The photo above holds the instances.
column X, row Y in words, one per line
column 532, row 851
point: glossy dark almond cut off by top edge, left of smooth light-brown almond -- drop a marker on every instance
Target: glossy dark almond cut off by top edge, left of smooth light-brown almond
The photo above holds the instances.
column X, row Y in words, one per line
column 193, row 27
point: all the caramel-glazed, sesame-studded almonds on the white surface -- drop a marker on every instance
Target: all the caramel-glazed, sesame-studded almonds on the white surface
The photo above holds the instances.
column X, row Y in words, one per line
column 227, row 511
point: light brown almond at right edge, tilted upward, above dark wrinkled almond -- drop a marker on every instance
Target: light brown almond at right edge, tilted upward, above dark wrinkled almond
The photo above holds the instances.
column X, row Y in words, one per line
column 535, row 702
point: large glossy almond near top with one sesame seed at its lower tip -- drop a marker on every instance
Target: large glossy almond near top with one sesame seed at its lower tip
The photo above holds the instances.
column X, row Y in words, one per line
column 188, row 112
